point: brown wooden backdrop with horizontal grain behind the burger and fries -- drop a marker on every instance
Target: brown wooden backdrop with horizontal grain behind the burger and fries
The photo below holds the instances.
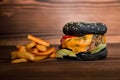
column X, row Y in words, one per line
column 46, row 18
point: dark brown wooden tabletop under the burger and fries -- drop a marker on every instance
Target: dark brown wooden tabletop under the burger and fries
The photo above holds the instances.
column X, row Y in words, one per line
column 52, row 69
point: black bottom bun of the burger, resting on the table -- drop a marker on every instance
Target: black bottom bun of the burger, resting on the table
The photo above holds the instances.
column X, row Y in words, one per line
column 89, row 57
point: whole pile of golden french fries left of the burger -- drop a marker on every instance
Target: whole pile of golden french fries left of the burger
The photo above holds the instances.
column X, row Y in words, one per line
column 37, row 49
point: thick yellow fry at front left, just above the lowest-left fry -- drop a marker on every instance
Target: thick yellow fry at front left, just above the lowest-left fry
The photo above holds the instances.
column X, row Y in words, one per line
column 25, row 55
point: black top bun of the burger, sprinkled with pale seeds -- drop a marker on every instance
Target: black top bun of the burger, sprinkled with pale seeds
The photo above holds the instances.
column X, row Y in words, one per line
column 82, row 28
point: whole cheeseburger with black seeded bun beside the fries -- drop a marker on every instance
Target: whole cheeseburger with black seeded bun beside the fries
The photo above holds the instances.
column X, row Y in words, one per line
column 83, row 41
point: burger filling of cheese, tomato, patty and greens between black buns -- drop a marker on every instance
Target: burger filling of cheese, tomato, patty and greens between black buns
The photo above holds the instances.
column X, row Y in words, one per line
column 91, row 43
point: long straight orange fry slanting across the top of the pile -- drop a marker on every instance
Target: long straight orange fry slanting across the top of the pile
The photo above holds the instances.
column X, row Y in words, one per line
column 38, row 40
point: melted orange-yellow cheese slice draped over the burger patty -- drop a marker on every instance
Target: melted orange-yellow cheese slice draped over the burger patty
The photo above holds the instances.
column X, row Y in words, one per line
column 78, row 44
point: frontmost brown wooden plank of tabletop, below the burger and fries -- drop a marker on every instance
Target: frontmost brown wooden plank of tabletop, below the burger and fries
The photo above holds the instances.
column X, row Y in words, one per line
column 61, row 70
